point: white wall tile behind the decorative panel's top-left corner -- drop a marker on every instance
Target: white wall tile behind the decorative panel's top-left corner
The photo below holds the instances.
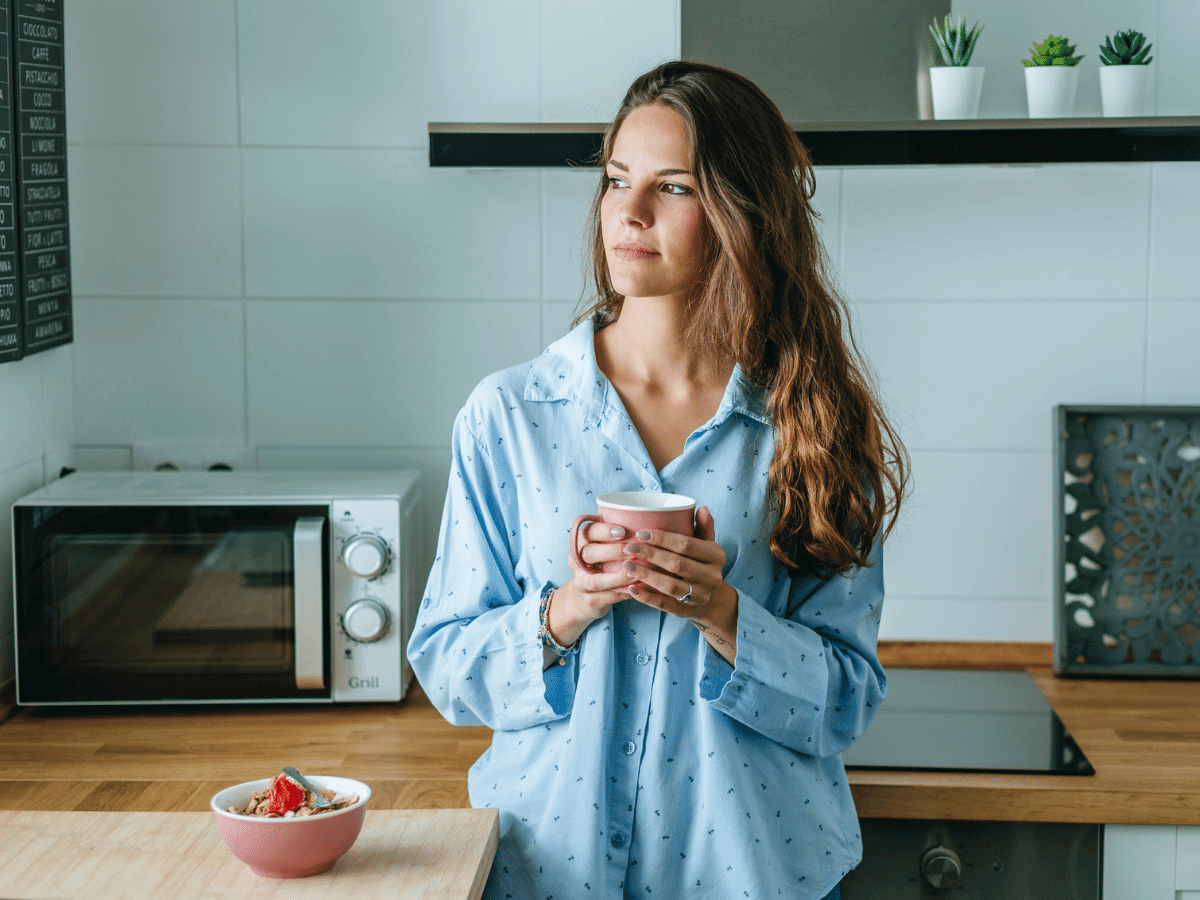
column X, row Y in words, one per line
column 985, row 375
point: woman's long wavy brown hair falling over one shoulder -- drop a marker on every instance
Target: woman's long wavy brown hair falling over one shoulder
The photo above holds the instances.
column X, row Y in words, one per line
column 766, row 302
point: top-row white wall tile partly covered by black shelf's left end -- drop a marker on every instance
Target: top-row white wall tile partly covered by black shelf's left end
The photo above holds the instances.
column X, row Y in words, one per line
column 379, row 73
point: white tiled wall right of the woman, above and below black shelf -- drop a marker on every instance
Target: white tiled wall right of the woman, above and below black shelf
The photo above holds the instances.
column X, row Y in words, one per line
column 989, row 295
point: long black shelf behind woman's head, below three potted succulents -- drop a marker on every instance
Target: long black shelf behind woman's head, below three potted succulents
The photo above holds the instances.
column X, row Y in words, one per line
column 995, row 142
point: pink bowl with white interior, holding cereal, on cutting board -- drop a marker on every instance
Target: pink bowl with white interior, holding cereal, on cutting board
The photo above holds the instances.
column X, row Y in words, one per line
column 291, row 848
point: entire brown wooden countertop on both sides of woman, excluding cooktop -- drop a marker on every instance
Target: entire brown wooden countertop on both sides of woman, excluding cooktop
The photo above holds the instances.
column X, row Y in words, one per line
column 1142, row 736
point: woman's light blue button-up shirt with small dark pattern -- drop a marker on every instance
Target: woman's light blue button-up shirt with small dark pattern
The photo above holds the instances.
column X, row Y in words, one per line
column 646, row 766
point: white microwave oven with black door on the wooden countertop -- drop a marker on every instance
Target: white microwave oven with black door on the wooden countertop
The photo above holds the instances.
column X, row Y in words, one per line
column 215, row 587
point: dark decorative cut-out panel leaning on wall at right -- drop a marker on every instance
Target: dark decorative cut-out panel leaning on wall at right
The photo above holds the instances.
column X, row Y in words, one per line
column 1129, row 541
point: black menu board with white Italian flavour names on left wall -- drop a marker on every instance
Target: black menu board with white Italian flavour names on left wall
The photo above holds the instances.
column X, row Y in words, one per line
column 35, row 248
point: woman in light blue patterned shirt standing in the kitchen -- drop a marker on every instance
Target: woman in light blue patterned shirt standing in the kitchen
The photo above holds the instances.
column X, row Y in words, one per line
column 674, row 730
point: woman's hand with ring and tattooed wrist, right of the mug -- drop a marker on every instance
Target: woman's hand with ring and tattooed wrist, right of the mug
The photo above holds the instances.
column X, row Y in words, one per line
column 682, row 577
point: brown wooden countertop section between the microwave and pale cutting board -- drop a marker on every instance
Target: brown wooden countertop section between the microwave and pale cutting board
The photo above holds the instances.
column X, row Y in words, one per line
column 154, row 759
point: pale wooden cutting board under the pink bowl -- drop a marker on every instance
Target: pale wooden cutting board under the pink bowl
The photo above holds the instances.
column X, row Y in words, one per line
column 100, row 856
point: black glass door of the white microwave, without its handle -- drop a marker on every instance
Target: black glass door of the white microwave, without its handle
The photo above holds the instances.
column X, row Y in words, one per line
column 160, row 603
